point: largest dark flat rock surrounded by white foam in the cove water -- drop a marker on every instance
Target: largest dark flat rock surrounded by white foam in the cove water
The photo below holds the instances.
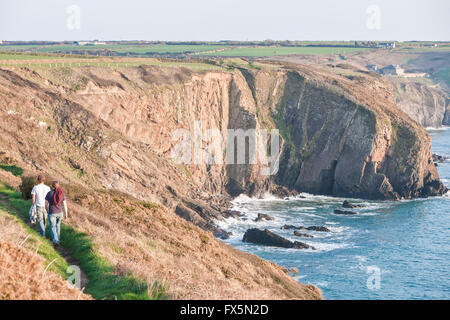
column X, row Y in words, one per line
column 268, row 238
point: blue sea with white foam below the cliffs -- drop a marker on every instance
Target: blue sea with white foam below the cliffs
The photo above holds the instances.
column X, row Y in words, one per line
column 391, row 250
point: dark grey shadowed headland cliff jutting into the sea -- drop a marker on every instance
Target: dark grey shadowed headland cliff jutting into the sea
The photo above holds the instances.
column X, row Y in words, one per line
column 344, row 136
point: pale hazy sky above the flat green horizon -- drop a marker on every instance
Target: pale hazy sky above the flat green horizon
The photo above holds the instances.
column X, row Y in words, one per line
column 225, row 20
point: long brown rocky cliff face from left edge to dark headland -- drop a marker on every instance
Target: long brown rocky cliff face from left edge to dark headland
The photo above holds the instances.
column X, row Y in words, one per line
column 342, row 133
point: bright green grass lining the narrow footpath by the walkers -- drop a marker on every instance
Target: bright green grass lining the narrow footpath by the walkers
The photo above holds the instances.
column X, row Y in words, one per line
column 103, row 283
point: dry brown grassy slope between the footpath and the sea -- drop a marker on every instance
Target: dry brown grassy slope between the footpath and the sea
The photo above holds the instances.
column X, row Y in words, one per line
column 158, row 246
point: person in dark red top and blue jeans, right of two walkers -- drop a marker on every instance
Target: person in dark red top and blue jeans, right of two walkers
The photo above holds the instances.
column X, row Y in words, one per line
column 55, row 203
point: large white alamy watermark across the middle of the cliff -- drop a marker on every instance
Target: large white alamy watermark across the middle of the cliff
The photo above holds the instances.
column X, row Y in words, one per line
column 241, row 146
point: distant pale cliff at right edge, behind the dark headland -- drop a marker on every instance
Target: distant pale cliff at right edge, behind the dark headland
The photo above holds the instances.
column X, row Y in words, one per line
column 423, row 103
